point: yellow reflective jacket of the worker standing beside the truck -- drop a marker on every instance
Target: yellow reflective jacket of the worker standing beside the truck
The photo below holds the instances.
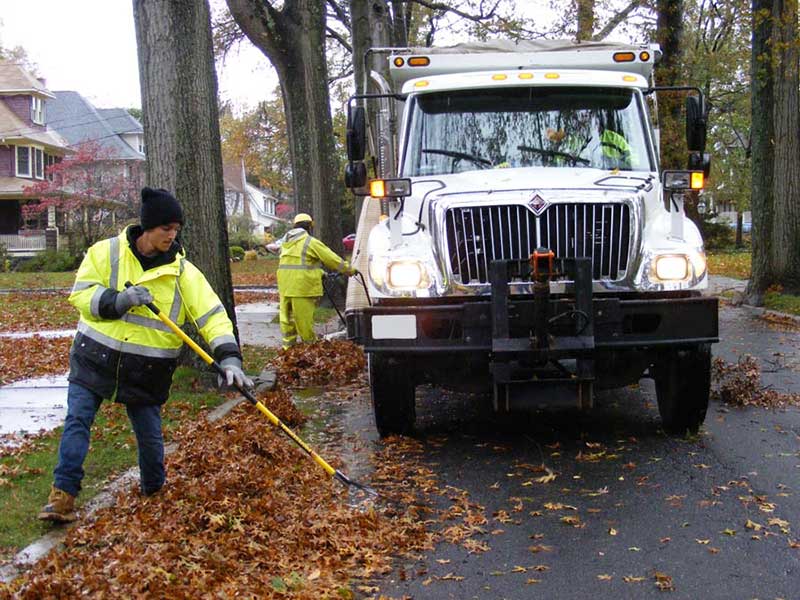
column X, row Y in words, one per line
column 300, row 267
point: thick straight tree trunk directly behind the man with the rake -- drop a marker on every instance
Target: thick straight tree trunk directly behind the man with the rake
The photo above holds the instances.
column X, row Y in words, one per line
column 181, row 127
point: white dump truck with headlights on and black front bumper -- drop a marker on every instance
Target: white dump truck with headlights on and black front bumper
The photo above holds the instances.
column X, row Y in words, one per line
column 519, row 233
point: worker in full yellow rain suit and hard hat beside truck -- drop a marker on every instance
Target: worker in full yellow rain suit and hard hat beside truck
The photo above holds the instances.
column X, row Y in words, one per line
column 300, row 279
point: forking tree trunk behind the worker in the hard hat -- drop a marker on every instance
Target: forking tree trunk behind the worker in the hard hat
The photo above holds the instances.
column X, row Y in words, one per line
column 293, row 39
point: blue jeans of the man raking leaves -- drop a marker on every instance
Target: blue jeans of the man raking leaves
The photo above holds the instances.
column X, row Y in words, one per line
column 82, row 406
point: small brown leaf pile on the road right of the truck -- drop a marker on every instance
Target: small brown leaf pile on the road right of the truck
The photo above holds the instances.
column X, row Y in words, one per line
column 739, row 384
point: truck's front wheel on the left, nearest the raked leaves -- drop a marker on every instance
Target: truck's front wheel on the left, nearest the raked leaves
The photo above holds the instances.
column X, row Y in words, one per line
column 392, row 396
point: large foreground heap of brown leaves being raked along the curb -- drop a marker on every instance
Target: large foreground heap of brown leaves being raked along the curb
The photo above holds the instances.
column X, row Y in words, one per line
column 244, row 514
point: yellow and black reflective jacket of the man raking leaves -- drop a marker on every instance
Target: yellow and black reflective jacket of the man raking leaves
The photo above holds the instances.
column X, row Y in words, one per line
column 135, row 355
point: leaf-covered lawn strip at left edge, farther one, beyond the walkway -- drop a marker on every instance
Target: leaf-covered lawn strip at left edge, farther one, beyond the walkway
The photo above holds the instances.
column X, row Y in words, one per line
column 36, row 311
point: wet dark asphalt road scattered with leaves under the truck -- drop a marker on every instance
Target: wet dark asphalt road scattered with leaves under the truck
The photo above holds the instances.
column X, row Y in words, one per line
column 713, row 517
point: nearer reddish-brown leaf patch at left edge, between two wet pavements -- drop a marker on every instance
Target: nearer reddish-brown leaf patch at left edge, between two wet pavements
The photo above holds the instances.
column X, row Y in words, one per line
column 21, row 358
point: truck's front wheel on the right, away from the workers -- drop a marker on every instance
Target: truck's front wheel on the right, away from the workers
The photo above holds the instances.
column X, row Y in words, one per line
column 683, row 382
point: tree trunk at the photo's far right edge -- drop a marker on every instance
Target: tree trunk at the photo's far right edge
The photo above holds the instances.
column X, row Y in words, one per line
column 775, row 149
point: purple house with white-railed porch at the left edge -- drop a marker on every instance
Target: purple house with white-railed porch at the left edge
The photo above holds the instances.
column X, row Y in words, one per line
column 28, row 146
